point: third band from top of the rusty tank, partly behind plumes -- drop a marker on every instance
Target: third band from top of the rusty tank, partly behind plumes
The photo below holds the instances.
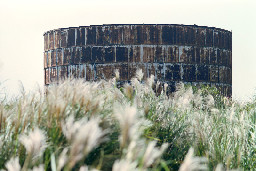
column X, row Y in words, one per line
column 162, row 72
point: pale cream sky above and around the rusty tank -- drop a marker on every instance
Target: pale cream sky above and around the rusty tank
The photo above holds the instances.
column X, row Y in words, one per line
column 22, row 24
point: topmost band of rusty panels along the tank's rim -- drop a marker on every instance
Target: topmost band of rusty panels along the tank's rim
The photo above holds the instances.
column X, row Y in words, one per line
column 138, row 34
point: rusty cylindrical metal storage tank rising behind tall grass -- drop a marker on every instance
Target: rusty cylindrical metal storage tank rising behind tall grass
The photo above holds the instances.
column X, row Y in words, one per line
column 173, row 53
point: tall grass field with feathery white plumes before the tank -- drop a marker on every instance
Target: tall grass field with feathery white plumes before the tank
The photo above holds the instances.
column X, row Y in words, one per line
column 79, row 125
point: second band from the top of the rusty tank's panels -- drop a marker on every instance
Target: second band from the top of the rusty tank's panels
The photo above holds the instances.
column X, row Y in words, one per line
column 138, row 53
